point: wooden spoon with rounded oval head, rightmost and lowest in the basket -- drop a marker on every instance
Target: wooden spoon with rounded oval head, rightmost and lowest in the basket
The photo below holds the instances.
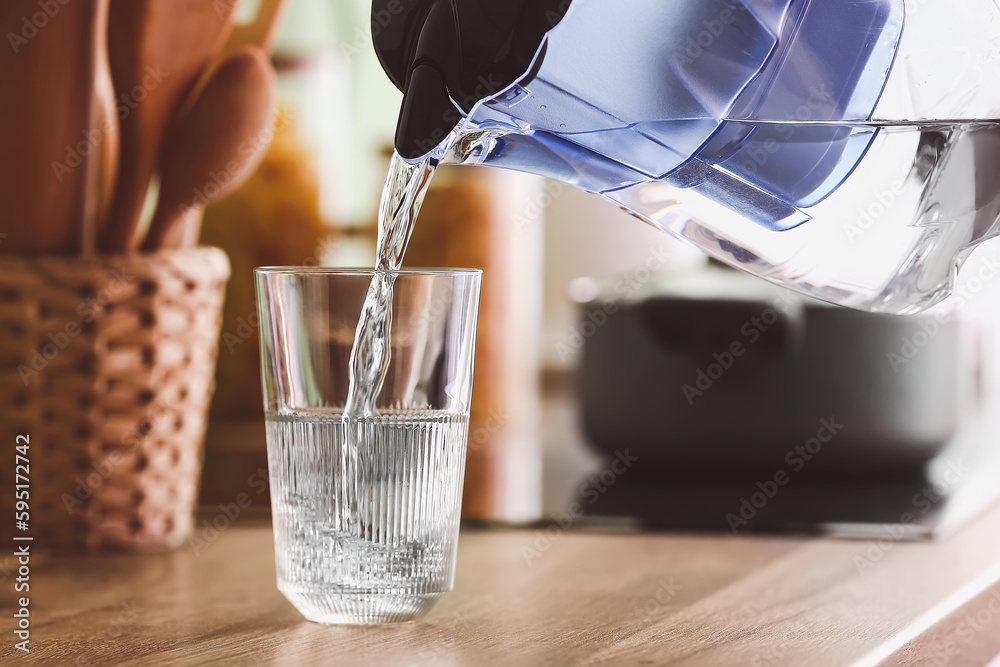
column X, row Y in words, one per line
column 213, row 149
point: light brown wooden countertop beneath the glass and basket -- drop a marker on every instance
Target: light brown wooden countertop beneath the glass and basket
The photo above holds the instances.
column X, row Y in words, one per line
column 521, row 598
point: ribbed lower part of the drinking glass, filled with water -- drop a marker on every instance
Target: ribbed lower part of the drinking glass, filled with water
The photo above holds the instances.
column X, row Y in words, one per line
column 366, row 534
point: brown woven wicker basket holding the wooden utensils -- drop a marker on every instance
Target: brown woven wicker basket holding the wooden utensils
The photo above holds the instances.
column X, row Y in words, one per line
column 107, row 366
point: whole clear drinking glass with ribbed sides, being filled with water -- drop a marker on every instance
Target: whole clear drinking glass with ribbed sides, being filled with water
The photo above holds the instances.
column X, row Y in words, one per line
column 366, row 508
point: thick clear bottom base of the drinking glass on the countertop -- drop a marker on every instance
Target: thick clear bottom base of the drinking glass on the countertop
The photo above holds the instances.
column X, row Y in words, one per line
column 339, row 608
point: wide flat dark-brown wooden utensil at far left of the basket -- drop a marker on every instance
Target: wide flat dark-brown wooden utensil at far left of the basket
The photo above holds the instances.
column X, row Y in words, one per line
column 48, row 139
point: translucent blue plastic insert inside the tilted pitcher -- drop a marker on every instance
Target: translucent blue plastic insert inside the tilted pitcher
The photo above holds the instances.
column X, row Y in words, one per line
column 760, row 105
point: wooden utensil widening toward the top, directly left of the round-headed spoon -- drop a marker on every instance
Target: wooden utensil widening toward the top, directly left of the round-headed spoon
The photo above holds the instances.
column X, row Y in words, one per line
column 158, row 49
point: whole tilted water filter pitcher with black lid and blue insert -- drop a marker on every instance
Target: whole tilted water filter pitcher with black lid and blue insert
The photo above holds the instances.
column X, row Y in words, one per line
column 847, row 149
